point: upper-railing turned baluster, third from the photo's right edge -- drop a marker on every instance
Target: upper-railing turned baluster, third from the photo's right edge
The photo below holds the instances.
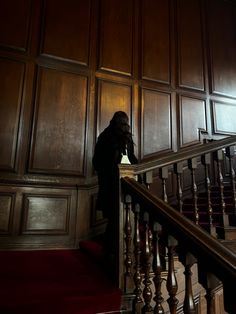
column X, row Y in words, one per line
column 206, row 161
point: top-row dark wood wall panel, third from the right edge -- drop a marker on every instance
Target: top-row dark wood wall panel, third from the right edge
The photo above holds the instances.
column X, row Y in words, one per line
column 156, row 40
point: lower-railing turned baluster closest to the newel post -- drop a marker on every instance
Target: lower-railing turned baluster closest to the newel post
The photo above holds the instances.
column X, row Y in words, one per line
column 128, row 238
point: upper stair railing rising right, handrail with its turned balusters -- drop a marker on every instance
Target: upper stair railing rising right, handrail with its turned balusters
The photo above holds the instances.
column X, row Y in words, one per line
column 211, row 157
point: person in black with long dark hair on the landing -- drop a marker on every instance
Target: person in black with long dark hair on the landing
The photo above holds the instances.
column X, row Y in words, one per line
column 112, row 143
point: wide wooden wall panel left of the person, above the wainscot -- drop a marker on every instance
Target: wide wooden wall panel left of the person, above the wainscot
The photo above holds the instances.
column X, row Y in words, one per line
column 59, row 135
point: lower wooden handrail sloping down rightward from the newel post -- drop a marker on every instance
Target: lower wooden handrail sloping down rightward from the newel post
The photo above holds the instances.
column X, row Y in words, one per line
column 209, row 252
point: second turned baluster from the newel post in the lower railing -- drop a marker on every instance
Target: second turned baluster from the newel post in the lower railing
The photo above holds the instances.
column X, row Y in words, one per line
column 137, row 254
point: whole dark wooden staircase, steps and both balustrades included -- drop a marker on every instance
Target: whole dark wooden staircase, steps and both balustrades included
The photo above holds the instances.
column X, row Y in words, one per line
column 196, row 230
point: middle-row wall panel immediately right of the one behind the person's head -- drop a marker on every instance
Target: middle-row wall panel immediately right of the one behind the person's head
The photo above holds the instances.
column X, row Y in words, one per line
column 156, row 122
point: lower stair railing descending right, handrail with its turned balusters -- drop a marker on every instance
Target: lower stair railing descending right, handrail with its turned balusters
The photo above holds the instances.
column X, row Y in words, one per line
column 211, row 256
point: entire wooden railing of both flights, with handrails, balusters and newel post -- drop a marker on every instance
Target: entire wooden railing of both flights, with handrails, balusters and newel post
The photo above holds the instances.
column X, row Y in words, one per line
column 139, row 254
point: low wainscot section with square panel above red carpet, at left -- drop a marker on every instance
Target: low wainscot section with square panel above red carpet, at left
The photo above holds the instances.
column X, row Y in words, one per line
column 33, row 216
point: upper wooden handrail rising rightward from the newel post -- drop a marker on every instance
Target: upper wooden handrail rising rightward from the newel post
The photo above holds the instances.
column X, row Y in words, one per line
column 182, row 155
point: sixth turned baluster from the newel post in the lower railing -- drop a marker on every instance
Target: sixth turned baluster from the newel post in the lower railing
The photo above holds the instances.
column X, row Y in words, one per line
column 189, row 304
